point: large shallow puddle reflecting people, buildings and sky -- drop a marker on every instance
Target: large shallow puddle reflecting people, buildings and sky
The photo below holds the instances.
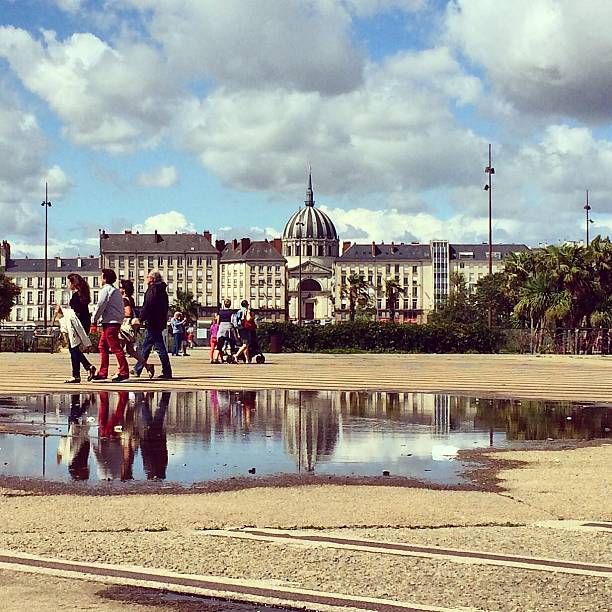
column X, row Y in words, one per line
column 188, row 437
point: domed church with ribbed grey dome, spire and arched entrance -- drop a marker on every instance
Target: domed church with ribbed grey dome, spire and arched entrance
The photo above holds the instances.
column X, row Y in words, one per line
column 310, row 245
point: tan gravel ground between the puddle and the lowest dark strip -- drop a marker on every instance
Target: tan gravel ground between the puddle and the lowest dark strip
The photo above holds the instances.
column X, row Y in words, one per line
column 158, row 531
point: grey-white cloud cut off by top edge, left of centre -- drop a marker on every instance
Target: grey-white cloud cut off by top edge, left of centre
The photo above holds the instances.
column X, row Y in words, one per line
column 288, row 43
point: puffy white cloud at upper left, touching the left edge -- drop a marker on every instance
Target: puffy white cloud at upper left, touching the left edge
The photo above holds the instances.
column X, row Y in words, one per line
column 116, row 99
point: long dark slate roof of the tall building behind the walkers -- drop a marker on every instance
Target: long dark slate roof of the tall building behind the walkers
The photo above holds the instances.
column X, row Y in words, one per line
column 157, row 244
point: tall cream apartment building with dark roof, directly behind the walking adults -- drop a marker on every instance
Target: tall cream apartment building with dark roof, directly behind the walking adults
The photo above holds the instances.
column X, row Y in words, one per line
column 187, row 262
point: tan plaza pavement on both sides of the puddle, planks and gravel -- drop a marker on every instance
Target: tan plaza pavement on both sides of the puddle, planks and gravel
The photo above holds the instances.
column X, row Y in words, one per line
column 538, row 510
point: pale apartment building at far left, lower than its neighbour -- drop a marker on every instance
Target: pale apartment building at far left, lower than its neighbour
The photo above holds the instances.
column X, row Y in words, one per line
column 29, row 275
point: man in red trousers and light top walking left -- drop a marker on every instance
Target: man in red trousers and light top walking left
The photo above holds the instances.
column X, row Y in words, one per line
column 109, row 314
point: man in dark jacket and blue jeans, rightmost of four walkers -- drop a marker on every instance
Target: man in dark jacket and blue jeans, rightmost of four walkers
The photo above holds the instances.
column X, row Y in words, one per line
column 154, row 313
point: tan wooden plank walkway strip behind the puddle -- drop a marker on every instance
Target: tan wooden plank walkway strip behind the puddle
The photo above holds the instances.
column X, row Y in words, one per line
column 520, row 376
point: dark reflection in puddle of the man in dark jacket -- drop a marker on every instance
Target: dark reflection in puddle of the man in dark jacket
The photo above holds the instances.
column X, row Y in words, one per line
column 153, row 442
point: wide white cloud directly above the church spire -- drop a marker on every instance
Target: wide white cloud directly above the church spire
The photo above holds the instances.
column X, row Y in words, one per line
column 396, row 133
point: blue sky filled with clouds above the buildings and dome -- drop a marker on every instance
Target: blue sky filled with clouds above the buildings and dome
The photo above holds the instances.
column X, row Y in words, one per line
column 193, row 115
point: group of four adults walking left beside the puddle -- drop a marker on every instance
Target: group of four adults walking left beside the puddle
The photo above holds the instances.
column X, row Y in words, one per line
column 115, row 316
